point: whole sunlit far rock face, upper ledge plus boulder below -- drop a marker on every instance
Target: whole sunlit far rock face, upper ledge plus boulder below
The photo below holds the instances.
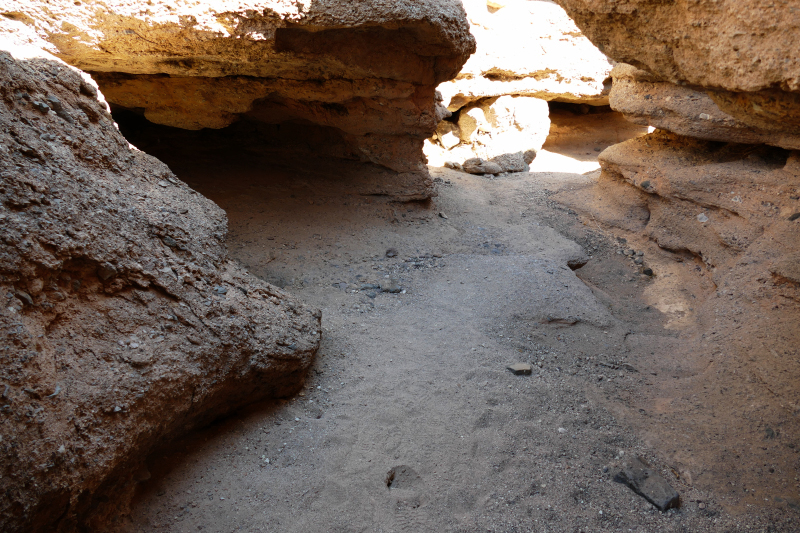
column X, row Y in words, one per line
column 528, row 53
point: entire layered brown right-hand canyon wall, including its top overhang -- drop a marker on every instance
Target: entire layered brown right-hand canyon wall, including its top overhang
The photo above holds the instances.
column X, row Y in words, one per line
column 713, row 196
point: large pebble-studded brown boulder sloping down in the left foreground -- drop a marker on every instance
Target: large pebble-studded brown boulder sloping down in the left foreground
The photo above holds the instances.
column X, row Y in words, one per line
column 123, row 321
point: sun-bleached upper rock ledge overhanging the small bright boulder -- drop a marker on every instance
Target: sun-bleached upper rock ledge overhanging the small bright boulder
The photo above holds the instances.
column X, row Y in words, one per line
column 528, row 49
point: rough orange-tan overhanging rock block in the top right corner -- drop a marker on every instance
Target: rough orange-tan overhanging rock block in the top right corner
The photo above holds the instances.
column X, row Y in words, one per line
column 739, row 52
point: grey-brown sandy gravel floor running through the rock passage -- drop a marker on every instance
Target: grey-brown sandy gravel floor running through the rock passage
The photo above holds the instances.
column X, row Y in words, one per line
column 416, row 383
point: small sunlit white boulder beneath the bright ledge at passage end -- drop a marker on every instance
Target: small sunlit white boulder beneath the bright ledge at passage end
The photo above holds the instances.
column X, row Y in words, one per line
column 491, row 128
